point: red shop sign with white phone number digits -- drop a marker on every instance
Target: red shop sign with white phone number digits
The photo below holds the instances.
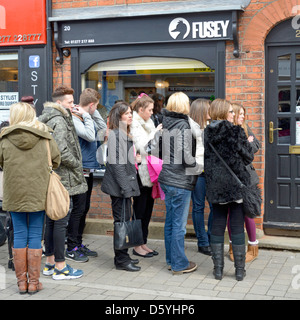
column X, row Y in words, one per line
column 22, row 22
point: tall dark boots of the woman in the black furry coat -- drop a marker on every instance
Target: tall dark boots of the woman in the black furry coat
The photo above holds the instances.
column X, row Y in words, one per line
column 239, row 254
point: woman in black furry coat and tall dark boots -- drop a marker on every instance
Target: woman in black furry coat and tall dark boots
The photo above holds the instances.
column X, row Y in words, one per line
column 222, row 191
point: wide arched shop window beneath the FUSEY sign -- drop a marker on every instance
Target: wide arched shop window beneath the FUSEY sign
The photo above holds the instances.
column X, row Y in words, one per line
column 125, row 79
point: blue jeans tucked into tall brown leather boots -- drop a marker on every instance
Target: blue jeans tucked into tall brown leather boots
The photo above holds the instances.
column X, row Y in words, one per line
column 28, row 229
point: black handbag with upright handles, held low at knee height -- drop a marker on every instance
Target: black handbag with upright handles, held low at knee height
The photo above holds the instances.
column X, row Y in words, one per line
column 127, row 234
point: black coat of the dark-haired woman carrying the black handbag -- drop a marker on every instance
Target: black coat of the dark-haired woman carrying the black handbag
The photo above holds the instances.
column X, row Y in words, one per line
column 120, row 178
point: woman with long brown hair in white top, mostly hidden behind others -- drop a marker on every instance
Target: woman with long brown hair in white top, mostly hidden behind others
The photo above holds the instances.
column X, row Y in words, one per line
column 198, row 121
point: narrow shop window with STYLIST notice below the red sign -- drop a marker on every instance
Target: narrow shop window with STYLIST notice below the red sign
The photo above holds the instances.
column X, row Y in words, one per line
column 8, row 83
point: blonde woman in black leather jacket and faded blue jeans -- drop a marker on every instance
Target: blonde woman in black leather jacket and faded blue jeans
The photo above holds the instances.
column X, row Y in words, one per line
column 177, row 179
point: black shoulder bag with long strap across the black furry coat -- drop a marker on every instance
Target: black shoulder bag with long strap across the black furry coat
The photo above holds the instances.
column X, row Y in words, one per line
column 251, row 194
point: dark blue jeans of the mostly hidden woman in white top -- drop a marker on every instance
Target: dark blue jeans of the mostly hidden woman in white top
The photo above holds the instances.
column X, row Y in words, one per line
column 198, row 198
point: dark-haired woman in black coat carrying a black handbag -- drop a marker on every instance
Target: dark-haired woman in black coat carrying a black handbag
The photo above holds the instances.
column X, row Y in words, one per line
column 120, row 180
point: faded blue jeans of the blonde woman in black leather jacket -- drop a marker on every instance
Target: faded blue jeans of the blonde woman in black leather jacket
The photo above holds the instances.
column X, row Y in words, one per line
column 177, row 202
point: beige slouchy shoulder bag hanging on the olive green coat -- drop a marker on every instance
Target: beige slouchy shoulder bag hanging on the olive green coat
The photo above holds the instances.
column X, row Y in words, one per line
column 57, row 198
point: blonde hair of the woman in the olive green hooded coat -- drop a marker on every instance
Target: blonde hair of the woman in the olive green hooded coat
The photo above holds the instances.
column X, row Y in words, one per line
column 22, row 113
